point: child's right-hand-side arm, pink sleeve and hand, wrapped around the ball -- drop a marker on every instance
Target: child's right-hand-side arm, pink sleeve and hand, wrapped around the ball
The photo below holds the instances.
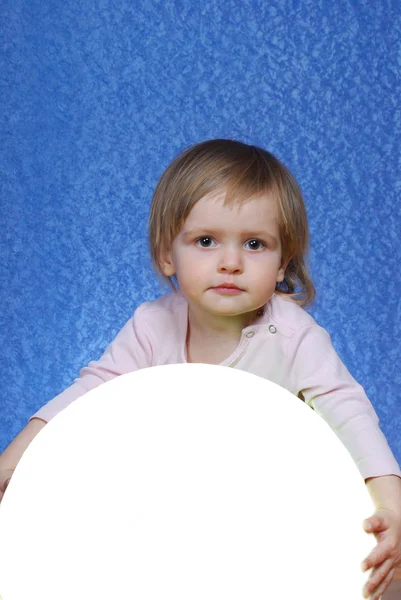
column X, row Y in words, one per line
column 330, row 389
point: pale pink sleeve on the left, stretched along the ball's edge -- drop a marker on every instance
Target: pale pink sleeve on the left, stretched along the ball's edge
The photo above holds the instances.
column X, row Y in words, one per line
column 131, row 350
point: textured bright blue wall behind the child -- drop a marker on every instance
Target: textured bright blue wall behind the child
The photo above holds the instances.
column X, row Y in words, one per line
column 98, row 97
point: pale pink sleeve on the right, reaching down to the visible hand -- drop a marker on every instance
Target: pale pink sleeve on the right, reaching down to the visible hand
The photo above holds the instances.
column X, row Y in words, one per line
column 321, row 378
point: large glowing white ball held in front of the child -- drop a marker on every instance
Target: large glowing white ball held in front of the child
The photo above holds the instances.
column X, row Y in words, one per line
column 185, row 482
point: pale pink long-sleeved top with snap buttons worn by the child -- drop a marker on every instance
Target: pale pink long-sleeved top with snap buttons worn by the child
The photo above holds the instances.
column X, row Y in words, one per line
column 284, row 345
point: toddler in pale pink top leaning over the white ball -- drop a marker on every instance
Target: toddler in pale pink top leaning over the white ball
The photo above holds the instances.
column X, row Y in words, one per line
column 228, row 231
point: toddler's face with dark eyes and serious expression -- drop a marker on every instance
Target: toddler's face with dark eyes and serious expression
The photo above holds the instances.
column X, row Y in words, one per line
column 223, row 246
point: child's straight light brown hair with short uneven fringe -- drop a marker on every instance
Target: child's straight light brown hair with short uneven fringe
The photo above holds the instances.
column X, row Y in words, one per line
column 245, row 172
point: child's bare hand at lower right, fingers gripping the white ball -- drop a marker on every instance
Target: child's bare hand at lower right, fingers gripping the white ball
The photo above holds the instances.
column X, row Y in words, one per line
column 386, row 526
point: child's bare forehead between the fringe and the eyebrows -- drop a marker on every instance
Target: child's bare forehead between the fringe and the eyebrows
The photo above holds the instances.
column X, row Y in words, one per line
column 212, row 211
